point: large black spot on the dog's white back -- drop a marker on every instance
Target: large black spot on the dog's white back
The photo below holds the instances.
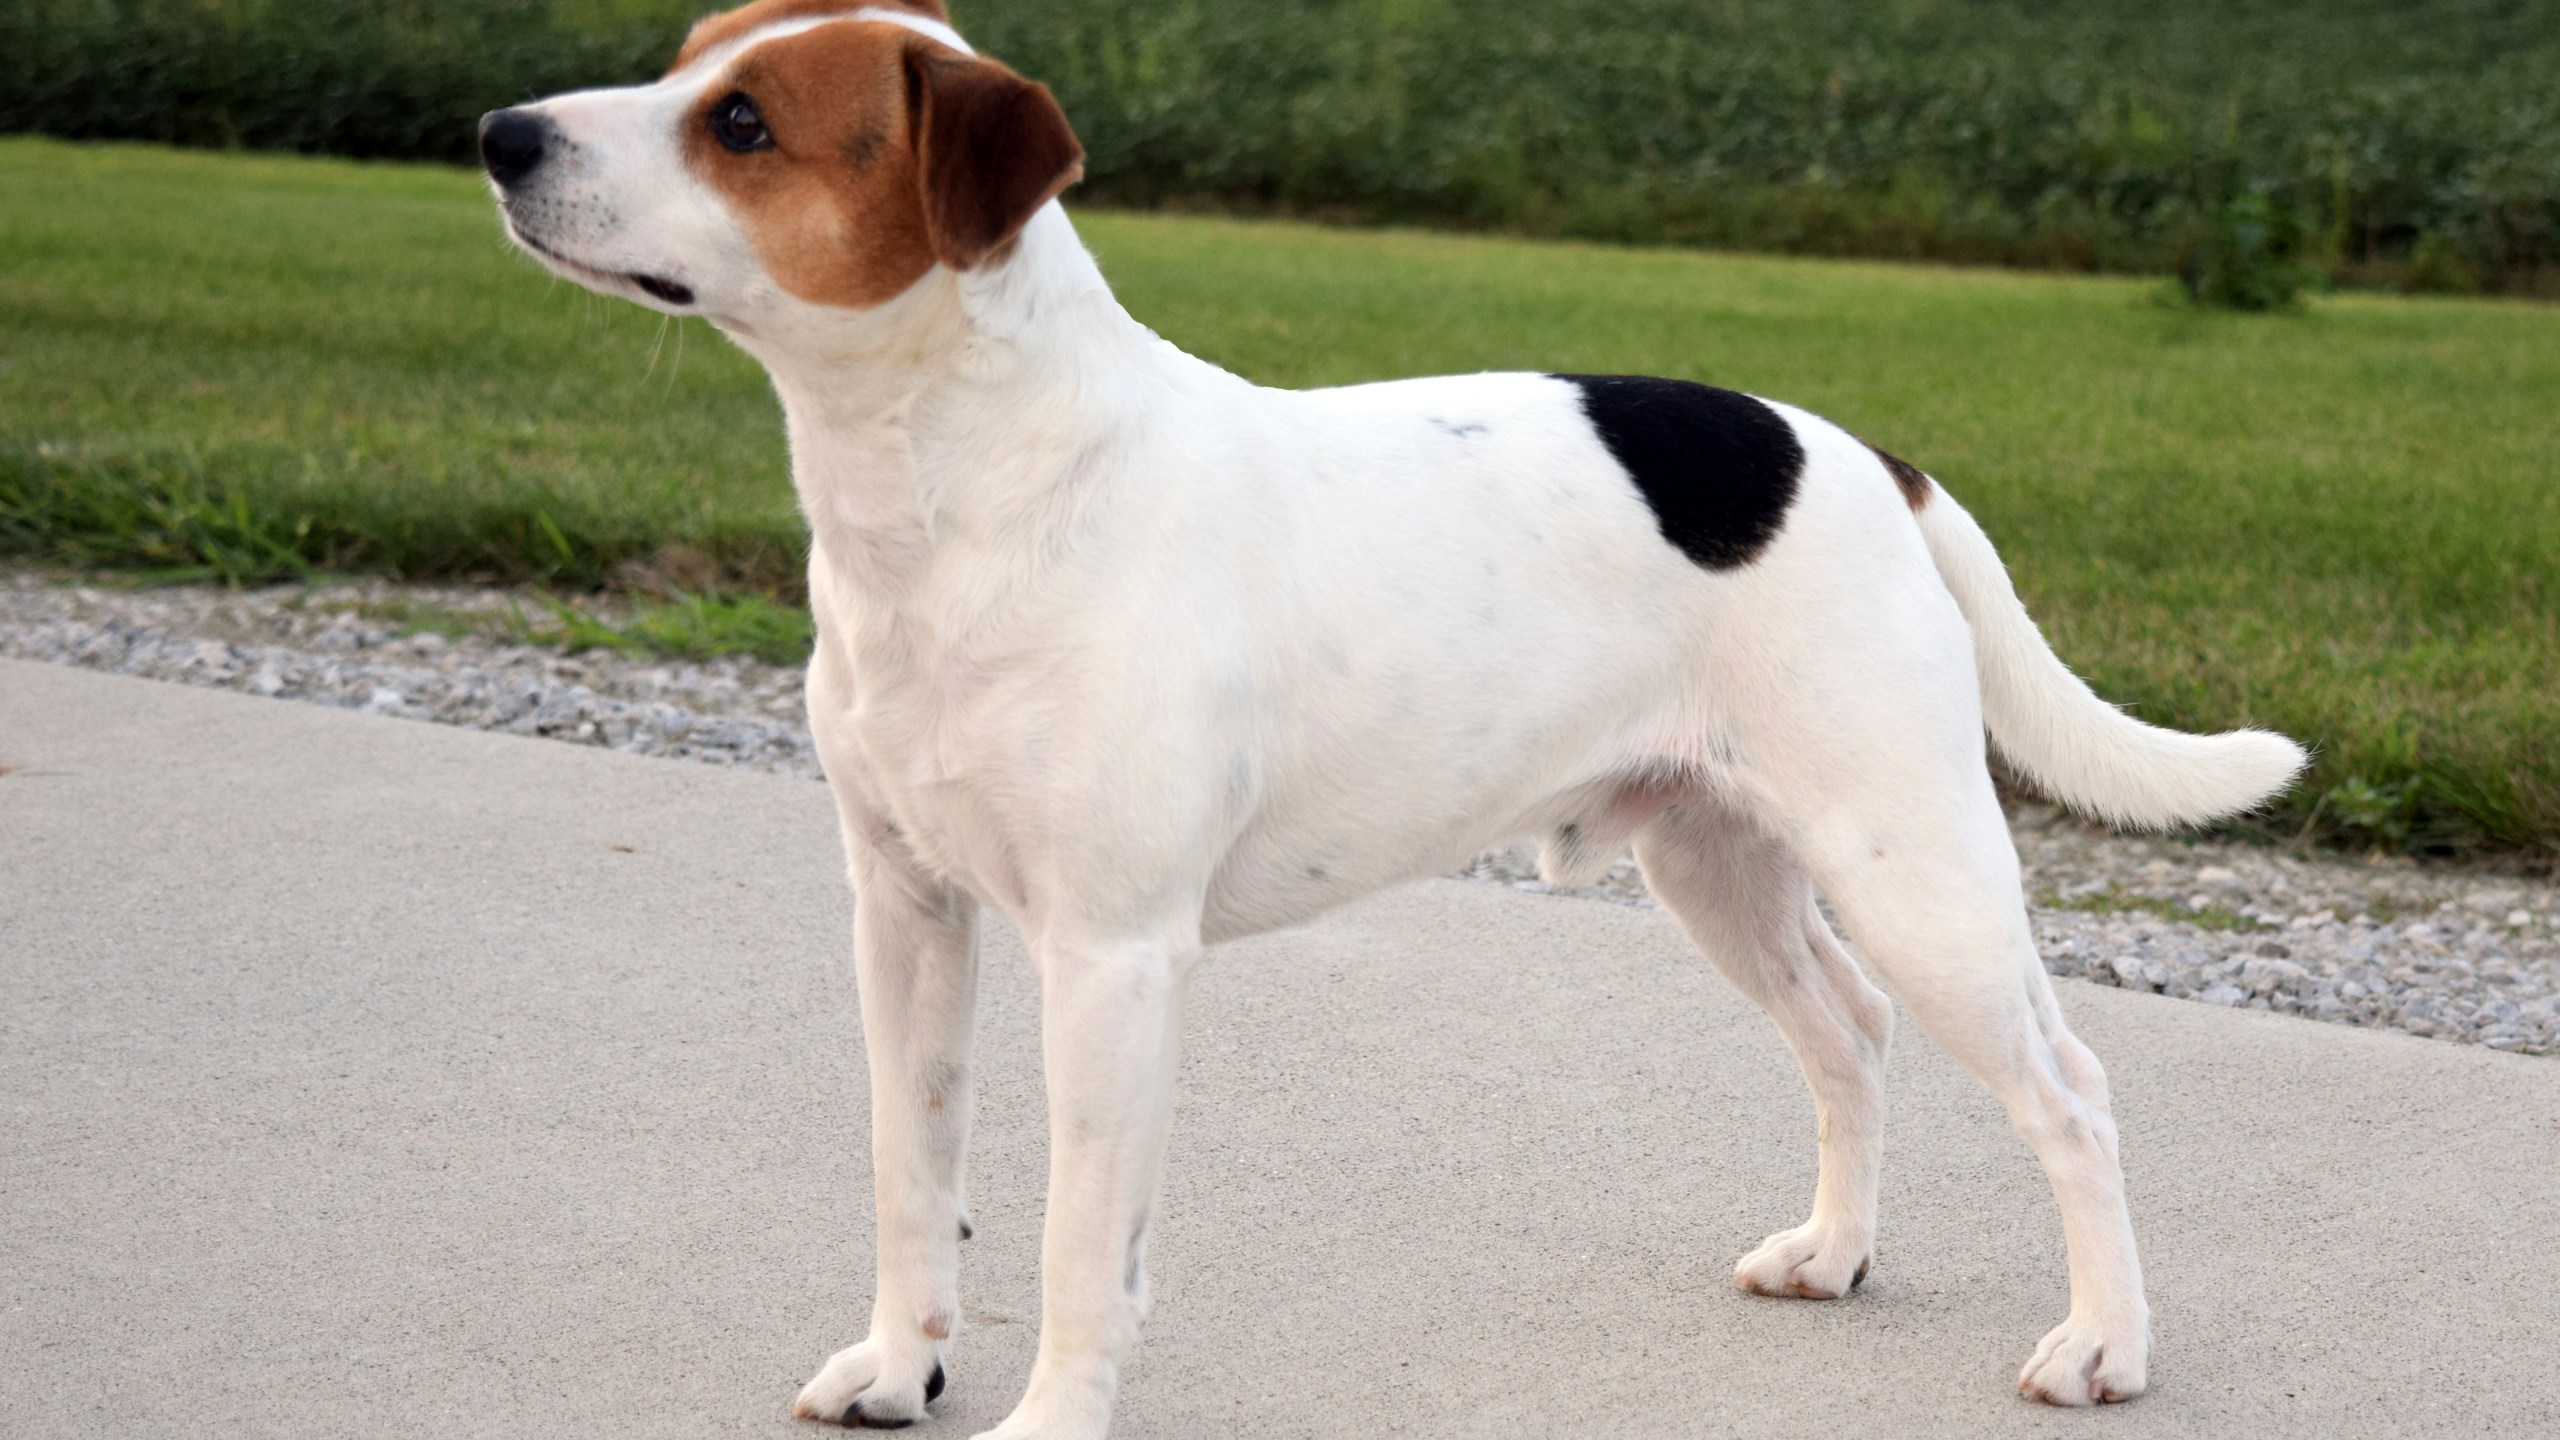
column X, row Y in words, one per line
column 1716, row 468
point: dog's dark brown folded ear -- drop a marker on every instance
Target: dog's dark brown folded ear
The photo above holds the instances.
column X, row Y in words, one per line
column 992, row 150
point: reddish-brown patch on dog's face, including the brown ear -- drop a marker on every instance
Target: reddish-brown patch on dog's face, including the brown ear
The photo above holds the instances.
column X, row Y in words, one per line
column 882, row 152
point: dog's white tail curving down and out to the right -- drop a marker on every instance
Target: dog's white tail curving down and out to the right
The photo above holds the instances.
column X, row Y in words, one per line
column 2062, row 737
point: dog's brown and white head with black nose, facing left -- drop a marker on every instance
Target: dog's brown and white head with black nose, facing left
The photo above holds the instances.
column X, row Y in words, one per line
column 797, row 155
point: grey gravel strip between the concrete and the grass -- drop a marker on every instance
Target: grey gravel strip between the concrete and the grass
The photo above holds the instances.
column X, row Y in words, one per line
column 2390, row 944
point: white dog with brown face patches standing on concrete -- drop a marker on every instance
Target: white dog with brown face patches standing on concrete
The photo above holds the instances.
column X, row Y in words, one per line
column 1148, row 657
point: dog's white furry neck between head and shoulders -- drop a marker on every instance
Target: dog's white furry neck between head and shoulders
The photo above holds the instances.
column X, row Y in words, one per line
column 961, row 414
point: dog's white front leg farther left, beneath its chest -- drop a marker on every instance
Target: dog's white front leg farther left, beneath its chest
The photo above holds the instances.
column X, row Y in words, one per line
column 918, row 970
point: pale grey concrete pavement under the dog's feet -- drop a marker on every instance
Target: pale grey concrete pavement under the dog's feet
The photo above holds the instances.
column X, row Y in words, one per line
column 365, row 1077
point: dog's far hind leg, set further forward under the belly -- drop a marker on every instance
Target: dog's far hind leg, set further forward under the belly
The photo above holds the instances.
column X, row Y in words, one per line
column 1747, row 903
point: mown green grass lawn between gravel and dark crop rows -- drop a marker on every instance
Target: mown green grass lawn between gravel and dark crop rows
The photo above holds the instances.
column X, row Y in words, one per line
column 2344, row 524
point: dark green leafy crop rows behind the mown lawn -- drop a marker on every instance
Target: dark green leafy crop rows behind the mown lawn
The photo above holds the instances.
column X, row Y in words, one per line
column 2397, row 142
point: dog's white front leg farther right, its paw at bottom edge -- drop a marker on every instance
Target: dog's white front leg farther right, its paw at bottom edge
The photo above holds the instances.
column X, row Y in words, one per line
column 1110, row 1039
